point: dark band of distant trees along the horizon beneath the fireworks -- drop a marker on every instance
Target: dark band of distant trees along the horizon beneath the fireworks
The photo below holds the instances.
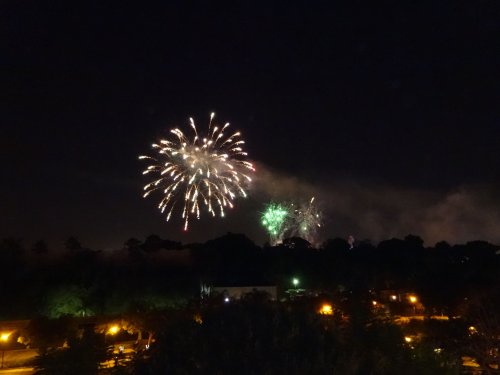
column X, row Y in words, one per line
column 157, row 273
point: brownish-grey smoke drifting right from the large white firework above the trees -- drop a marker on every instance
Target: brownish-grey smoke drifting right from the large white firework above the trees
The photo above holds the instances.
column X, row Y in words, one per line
column 377, row 212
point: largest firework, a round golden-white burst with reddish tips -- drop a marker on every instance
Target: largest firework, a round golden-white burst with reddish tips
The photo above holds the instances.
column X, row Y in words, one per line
column 203, row 171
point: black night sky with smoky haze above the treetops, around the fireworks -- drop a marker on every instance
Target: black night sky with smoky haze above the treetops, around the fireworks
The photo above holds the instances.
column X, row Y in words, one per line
column 388, row 113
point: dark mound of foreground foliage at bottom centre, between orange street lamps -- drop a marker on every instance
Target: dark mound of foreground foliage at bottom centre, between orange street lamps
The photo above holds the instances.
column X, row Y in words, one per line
column 262, row 338
